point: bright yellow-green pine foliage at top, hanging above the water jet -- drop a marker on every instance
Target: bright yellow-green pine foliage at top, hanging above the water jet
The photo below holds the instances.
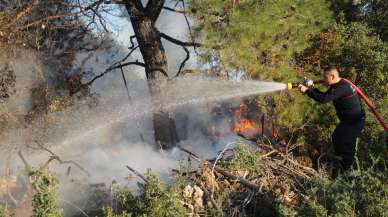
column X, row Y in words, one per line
column 258, row 37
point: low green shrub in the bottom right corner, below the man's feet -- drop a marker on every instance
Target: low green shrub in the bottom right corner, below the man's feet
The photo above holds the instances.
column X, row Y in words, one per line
column 358, row 193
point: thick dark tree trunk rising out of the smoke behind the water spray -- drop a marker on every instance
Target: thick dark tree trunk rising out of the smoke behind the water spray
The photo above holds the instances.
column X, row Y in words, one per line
column 154, row 56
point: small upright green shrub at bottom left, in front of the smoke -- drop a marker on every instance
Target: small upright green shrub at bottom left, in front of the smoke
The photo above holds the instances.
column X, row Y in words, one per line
column 45, row 185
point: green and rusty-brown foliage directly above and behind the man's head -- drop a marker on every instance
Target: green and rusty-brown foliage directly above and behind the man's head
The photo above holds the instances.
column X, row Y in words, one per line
column 358, row 53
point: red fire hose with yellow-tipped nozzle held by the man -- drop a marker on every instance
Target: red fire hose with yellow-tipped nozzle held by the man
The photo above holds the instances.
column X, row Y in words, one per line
column 368, row 102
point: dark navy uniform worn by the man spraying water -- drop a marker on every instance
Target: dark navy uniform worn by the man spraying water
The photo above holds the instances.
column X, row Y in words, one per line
column 349, row 110
